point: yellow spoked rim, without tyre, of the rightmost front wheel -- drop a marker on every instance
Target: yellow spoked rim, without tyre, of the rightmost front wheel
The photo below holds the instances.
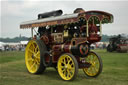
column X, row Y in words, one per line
column 95, row 65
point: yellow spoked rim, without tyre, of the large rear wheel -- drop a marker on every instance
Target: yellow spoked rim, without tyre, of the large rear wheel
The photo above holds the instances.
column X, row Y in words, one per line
column 32, row 56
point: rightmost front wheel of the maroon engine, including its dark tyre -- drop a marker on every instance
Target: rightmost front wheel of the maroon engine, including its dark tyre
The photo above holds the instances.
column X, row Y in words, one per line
column 96, row 65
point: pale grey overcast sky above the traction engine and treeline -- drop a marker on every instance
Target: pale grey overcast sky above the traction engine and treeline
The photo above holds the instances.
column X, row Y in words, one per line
column 13, row 12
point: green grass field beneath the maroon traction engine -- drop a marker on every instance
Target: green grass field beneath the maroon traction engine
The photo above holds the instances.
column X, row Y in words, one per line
column 13, row 71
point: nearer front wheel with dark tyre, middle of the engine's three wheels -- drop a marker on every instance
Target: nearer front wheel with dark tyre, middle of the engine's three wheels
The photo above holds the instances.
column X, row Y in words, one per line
column 67, row 66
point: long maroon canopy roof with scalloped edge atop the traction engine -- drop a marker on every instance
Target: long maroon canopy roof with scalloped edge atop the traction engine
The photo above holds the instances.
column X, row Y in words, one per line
column 104, row 17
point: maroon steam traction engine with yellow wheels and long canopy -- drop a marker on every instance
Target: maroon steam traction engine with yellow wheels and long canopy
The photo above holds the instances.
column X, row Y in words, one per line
column 63, row 42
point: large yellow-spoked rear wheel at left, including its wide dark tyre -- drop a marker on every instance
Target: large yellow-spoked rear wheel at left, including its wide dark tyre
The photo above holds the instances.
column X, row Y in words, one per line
column 33, row 57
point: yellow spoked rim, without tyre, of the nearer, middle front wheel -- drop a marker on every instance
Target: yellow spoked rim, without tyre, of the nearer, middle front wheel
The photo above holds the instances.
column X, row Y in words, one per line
column 66, row 67
